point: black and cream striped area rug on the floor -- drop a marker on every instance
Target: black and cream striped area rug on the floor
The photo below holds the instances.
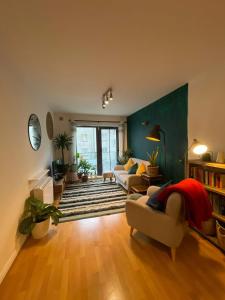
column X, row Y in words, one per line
column 92, row 199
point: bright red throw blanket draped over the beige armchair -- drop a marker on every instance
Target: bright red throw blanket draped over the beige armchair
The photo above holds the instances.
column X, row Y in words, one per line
column 197, row 205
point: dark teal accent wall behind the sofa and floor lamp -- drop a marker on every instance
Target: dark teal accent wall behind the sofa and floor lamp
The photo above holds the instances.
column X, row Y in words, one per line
column 170, row 112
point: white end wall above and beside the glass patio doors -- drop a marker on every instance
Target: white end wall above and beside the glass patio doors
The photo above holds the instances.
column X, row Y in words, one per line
column 62, row 124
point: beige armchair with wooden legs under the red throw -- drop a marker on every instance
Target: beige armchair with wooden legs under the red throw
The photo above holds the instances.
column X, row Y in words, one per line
column 166, row 227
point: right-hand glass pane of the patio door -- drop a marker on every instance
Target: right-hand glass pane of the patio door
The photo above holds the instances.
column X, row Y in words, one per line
column 109, row 147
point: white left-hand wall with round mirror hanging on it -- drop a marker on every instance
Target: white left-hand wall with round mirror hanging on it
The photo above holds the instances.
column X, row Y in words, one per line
column 18, row 160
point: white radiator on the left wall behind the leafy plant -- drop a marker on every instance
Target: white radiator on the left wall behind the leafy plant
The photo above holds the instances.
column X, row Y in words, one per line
column 44, row 190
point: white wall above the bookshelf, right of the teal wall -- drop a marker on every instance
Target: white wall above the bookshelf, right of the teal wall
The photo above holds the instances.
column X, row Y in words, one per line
column 206, row 120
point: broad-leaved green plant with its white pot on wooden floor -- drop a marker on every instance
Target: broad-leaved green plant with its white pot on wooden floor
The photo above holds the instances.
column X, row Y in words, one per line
column 36, row 217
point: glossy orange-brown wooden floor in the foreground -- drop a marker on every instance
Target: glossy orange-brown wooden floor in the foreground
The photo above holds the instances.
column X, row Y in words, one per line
column 96, row 259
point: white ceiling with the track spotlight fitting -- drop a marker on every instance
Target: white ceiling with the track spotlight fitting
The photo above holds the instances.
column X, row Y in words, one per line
column 70, row 52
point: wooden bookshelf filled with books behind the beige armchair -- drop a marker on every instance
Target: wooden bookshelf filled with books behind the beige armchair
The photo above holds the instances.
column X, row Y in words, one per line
column 212, row 176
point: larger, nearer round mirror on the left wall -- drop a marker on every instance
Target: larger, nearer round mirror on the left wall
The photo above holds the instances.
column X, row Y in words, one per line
column 34, row 132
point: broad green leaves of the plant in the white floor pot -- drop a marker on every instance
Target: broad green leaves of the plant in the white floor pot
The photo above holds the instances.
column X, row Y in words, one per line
column 35, row 211
